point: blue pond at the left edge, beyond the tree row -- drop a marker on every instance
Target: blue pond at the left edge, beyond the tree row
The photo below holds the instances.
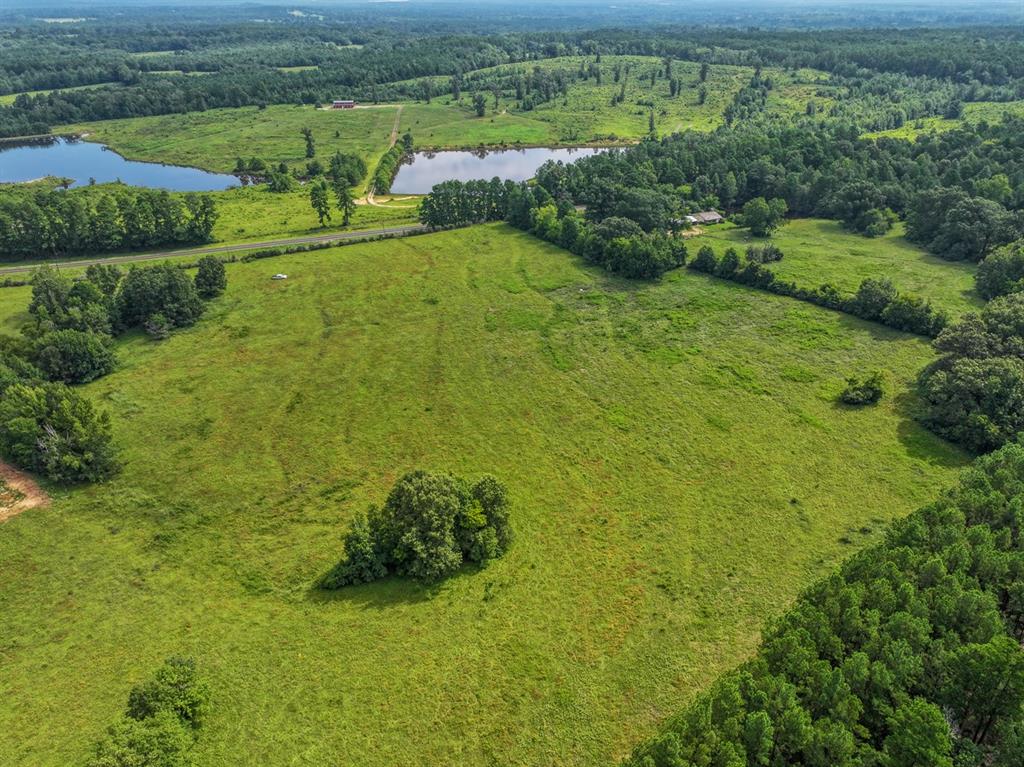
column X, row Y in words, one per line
column 70, row 158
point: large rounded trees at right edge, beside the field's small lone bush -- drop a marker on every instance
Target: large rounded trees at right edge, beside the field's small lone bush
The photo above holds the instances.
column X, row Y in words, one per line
column 974, row 394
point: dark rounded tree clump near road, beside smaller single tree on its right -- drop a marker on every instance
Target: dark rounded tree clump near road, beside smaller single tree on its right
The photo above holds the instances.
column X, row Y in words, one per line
column 163, row 289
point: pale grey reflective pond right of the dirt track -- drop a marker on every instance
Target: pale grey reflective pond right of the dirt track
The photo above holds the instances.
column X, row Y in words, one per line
column 426, row 169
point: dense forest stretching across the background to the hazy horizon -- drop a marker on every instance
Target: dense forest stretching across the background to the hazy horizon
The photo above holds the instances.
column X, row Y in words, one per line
column 243, row 62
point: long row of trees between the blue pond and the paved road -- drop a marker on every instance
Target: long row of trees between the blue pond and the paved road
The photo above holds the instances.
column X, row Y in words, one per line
column 46, row 224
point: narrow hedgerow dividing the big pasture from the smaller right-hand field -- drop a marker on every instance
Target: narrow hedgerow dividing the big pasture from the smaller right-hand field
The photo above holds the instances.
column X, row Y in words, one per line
column 877, row 301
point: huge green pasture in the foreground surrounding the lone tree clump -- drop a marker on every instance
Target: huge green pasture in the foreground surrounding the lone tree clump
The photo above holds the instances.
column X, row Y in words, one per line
column 679, row 467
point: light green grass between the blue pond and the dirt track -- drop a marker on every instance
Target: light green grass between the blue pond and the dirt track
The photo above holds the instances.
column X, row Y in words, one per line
column 214, row 140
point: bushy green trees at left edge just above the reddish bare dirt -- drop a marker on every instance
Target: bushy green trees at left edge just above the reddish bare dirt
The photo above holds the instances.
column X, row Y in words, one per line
column 53, row 431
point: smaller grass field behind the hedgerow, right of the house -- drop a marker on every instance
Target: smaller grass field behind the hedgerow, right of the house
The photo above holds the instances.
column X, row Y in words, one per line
column 818, row 251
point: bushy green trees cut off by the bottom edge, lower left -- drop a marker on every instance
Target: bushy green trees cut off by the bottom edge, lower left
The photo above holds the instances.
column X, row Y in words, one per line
column 161, row 722
